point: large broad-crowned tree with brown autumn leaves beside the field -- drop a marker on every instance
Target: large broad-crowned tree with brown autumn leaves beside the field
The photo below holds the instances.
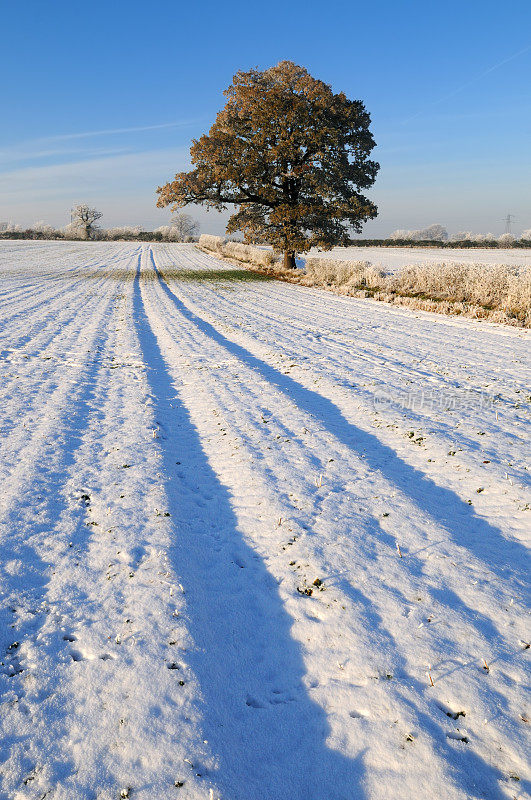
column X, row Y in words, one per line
column 291, row 154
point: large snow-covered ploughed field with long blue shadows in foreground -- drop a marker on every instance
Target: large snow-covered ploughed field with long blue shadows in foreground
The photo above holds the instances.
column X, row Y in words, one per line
column 244, row 525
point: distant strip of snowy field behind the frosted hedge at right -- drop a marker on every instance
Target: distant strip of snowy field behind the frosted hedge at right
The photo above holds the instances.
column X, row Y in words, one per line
column 392, row 258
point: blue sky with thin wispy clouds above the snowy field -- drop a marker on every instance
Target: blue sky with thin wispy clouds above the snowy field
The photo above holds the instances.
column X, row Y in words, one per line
column 100, row 101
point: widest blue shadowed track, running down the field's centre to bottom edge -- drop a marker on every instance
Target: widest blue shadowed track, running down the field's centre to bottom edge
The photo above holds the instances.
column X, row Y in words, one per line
column 267, row 734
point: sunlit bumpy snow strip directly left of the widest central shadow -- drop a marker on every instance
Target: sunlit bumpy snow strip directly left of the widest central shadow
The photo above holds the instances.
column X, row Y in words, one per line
column 109, row 652
